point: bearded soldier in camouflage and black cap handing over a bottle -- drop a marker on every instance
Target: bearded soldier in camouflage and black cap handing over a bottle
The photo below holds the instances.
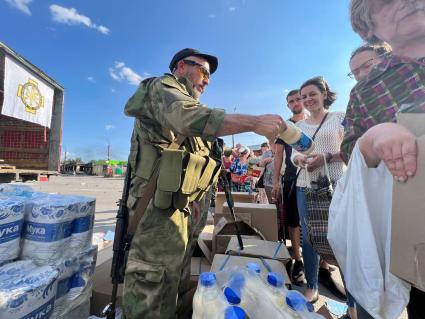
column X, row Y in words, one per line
column 158, row 266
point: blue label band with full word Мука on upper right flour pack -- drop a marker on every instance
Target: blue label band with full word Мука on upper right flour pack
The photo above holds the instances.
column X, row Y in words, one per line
column 47, row 232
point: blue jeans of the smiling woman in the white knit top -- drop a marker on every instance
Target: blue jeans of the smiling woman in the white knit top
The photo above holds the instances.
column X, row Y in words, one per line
column 311, row 258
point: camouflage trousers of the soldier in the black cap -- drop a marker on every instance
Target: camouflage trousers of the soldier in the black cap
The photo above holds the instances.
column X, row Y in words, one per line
column 158, row 267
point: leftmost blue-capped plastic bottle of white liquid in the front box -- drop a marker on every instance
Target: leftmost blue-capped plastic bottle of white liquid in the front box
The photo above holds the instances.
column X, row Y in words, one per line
column 208, row 300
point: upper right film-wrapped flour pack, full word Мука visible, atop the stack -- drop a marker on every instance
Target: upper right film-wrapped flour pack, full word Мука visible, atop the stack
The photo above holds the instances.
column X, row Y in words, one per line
column 56, row 225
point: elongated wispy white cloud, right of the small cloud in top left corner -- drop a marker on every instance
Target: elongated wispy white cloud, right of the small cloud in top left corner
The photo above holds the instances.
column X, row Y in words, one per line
column 70, row 16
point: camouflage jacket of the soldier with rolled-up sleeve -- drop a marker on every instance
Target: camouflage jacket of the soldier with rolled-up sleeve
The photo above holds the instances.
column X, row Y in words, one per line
column 164, row 107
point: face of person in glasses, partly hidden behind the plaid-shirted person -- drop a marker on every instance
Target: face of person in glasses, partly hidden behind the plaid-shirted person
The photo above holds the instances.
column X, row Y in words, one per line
column 364, row 58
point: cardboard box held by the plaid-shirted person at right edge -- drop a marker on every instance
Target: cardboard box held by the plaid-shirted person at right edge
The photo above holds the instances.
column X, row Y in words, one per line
column 408, row 217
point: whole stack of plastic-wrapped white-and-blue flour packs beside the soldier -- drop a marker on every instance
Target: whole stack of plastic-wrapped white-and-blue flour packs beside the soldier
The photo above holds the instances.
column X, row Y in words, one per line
column 56, row 234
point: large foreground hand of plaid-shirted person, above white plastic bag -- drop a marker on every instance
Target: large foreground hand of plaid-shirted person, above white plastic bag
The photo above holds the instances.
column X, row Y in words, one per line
column 395, row 145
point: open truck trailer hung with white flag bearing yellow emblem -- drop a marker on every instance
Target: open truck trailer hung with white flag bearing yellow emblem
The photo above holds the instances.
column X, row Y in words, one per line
column 31, row 118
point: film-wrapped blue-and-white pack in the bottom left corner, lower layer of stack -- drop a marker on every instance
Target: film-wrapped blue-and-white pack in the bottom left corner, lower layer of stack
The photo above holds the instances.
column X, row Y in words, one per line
column 26, row 290
